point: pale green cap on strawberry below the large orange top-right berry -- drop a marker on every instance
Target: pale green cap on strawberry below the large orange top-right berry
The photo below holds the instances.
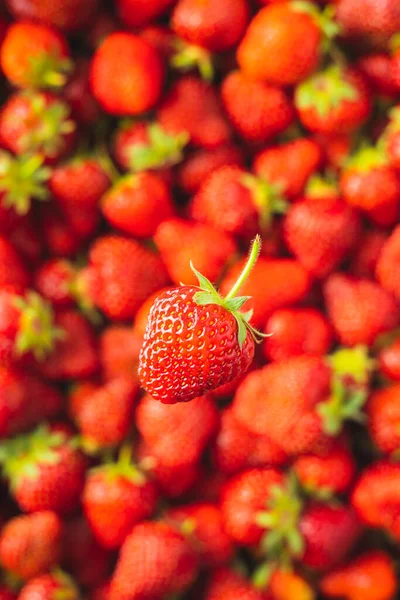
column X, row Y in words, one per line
column 325, row 91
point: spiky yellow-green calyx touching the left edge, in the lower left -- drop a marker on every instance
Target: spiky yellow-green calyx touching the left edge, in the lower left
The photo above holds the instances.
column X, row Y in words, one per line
column 22, row 456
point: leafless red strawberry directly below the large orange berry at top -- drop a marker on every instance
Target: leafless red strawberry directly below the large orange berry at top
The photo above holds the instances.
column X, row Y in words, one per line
column 259, row 111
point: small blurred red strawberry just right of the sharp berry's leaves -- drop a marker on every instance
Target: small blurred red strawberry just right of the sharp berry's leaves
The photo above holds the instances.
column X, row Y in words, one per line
column 296, row 331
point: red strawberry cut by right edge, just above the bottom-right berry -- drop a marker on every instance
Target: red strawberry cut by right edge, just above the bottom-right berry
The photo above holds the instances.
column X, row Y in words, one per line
column 376, row 496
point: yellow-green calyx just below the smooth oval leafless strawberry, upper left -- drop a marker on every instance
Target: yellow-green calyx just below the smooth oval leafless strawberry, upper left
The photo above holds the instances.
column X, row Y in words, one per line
column 163, row 150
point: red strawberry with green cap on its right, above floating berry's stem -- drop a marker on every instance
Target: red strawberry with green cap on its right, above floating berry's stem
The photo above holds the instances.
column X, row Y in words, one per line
column 235, row 201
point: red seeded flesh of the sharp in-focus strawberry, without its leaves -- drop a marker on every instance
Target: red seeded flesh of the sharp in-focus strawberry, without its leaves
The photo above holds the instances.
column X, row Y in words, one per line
column 189, row 349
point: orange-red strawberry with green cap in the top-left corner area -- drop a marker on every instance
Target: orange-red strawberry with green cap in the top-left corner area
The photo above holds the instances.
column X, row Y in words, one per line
column 34, row 55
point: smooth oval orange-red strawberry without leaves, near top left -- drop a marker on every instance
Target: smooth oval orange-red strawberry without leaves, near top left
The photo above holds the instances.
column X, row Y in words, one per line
column 126, row 74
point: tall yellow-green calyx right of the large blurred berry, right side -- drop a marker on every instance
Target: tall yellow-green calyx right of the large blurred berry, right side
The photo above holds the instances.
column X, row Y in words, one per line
column 351, row 368
